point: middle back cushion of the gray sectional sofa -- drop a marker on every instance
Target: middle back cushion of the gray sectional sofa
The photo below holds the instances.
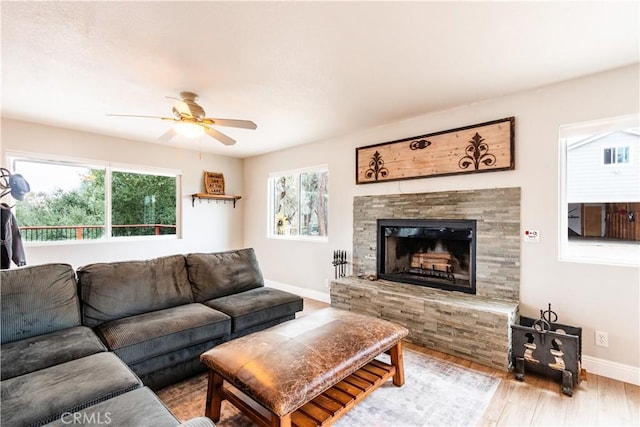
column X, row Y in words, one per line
column 116, row 290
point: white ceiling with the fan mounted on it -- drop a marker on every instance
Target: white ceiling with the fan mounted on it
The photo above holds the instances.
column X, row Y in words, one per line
column 303, row 71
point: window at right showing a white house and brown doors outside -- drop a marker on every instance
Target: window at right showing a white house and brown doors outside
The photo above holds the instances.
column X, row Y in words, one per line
column 600, row 205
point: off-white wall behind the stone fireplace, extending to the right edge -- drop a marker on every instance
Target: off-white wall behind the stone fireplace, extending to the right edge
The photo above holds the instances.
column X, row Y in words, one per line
column 601, row 297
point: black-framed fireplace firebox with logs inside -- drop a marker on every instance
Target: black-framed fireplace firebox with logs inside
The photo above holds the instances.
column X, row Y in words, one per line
column 434, row 253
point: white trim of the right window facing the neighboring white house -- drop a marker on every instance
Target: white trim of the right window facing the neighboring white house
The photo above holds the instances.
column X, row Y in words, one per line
column 601, row 252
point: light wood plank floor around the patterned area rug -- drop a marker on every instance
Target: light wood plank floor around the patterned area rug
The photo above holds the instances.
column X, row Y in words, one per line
column 538, row 401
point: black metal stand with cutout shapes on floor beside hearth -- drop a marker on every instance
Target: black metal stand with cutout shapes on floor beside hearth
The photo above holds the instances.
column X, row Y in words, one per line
column 548, row 348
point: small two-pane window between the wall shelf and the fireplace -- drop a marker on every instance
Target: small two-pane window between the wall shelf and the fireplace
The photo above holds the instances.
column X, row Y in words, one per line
column 299, row 204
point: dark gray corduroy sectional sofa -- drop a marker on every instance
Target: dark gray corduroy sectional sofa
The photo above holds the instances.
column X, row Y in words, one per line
column 98, row 340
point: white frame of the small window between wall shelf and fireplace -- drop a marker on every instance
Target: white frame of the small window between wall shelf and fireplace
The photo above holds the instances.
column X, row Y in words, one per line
column 271, row 196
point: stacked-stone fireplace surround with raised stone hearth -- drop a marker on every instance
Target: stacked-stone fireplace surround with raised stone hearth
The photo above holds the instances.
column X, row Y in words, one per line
column 475, row 326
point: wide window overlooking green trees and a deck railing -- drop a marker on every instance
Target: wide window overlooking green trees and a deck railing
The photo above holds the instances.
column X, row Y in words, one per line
column 78, row 200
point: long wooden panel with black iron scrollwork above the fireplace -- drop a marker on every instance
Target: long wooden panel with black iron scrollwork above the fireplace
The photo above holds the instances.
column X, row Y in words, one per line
column 479, row 148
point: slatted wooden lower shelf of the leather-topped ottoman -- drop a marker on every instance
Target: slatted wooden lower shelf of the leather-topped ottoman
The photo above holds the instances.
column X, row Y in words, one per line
column 327, row 407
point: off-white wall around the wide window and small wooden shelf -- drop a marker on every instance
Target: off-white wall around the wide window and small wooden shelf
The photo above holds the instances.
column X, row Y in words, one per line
column 207, row 227
